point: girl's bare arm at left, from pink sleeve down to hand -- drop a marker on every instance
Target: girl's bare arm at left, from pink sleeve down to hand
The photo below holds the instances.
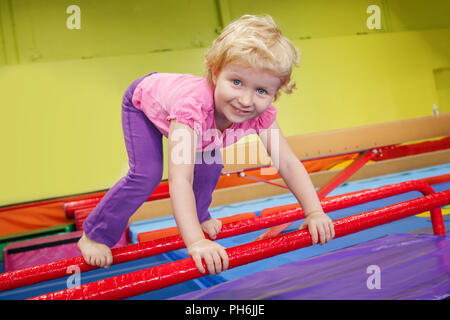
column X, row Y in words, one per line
column 181, row 160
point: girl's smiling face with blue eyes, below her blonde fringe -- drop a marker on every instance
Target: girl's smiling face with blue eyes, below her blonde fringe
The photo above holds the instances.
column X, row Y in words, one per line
column 242, row 93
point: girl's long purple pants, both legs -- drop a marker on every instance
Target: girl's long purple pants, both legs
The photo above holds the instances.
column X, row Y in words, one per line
column 143, row 141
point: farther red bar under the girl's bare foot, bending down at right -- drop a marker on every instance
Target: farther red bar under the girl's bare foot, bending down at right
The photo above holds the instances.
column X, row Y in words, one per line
column 58, row 269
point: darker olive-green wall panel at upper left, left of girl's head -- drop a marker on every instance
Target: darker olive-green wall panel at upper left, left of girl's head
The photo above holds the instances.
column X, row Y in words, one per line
column 110, row 27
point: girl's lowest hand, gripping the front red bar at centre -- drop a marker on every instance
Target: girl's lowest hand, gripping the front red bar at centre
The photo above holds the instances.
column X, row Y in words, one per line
column 213, row 253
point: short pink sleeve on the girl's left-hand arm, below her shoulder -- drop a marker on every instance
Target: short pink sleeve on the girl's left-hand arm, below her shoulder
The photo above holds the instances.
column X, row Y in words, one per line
column 188, row 111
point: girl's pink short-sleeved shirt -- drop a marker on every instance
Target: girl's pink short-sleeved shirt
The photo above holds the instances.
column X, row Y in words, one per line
column 190, row 100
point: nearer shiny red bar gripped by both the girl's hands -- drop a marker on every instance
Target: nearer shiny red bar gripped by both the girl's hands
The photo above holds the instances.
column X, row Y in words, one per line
column 142, row 281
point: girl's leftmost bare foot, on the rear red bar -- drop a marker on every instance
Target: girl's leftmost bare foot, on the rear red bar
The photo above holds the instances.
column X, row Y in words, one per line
column 95, row 253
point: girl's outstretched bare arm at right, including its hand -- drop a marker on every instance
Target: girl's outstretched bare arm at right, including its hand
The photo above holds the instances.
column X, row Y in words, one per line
column 298, row 181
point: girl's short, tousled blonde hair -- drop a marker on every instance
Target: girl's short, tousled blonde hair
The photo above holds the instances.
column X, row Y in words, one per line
column 254, row 41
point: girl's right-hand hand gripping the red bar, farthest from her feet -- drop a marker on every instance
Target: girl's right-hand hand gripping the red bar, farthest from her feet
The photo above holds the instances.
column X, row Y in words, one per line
column 319, row 224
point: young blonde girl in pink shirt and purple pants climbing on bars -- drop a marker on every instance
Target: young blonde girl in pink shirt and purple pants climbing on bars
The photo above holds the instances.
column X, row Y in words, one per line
column 246, row 68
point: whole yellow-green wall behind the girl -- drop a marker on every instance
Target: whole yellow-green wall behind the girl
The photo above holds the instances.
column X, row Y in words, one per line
column 61, row 89
